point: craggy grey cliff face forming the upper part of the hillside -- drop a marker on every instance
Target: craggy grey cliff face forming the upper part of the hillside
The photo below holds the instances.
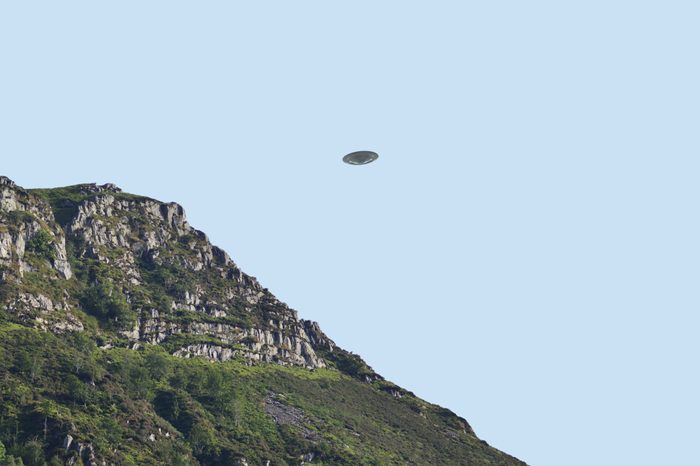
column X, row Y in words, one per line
column 180, row 290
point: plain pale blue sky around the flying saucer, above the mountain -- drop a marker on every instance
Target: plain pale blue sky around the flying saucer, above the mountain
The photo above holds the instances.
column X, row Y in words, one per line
column 524, row 252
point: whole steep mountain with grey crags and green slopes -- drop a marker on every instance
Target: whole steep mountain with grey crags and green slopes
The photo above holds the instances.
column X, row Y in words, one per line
column 127, row 338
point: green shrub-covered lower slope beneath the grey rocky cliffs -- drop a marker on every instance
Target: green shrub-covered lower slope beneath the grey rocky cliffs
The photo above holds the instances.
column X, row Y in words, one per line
column 213, row 413
